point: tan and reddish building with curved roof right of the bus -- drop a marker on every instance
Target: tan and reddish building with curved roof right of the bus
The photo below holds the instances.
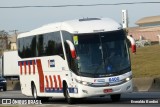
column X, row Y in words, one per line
column 148, row 29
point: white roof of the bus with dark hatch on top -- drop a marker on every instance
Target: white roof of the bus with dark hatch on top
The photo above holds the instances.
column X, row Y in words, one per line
column 87, row 25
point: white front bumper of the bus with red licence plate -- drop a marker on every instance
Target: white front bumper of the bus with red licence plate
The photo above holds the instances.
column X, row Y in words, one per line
column 87, row 91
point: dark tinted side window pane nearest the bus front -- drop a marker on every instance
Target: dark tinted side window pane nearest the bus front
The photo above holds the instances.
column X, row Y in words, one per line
column 49, row 44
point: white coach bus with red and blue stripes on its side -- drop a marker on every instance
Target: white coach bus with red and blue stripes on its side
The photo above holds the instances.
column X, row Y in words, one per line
column 75, row 59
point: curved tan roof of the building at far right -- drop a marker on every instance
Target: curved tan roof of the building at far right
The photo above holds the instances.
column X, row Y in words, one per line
column 146, row 20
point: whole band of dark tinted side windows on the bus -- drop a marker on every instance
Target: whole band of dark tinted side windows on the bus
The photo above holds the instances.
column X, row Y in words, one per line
column 41, row 45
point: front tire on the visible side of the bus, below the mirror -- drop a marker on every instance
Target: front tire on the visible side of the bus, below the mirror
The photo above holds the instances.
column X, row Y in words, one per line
column 67, row 97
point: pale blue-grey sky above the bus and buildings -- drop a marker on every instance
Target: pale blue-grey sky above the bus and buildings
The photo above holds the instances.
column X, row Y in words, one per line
column 26, row 19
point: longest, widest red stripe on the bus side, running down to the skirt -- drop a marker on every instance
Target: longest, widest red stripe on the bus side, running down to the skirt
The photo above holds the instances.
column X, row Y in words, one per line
column 41, row 75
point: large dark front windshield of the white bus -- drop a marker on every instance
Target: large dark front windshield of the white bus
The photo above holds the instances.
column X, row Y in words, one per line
column 102, row 54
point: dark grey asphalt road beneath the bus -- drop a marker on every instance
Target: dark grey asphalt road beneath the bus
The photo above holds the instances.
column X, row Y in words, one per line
column 138, row 99
